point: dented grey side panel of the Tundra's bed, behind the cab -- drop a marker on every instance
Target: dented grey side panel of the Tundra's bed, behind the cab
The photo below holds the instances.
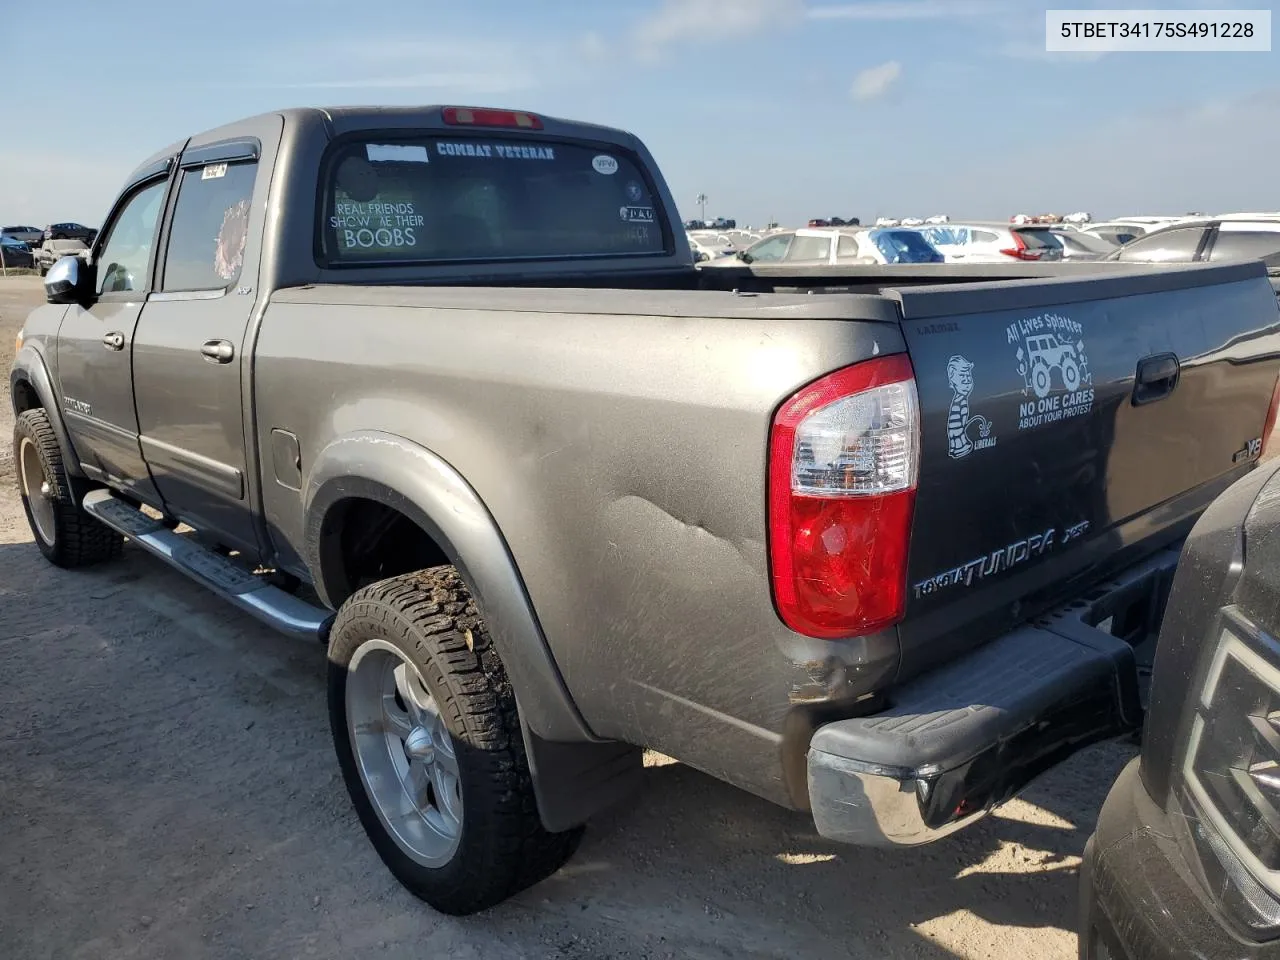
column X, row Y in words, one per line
column 624, row 460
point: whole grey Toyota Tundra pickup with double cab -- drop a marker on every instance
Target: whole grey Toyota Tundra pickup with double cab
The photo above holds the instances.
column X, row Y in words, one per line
column 442, row 388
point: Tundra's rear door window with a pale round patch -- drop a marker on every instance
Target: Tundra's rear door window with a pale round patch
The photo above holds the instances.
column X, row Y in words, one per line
column 211, row 227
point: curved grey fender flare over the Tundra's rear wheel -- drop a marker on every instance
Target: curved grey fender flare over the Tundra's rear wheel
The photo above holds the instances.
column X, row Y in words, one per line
column 391, row 470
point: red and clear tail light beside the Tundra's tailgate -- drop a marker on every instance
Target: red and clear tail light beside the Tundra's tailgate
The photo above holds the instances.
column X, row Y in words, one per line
column 844, row 456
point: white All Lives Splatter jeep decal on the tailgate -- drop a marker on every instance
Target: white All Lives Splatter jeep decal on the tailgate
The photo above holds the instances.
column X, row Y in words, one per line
column 1055, row 369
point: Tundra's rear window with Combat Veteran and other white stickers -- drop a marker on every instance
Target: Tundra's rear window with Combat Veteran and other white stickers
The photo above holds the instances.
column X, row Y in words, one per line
column 445, row 198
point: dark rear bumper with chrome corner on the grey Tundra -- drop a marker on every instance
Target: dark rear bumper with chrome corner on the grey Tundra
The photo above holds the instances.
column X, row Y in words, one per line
column 966, row 738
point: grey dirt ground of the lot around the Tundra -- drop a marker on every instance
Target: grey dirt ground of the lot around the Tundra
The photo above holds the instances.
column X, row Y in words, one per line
column 168, row 790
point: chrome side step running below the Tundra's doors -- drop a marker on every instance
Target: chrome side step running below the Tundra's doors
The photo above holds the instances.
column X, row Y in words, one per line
column 253, row 595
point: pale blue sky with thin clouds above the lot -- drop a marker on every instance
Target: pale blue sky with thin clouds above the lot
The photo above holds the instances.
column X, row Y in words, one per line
column 775, row 108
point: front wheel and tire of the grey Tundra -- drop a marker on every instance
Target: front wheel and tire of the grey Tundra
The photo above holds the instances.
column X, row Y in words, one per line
column 65, row 533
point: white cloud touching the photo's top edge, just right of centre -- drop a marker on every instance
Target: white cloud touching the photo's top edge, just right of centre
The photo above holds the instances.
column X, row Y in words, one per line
column 711, row 21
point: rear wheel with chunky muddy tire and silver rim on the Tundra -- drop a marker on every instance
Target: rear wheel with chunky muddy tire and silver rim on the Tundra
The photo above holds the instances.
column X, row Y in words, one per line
column 426, row 728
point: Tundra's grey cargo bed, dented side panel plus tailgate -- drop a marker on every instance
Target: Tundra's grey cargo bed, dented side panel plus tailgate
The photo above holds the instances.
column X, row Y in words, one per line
column 620, row 437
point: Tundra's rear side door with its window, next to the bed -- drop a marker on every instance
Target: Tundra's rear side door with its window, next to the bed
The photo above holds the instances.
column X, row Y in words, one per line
column 189, row 364
